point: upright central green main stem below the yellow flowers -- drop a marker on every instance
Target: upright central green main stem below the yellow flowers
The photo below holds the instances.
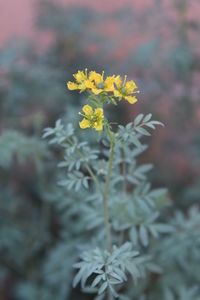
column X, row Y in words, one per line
column 106, row 191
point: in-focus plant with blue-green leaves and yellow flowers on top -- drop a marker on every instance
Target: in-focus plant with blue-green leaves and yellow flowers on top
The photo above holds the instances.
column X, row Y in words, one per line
column 116, row 202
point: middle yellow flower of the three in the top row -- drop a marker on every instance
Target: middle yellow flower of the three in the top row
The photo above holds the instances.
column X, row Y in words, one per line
column 101, row 85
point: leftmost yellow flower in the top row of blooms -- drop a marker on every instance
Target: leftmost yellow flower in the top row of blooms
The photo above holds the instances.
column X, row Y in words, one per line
column 82, row 82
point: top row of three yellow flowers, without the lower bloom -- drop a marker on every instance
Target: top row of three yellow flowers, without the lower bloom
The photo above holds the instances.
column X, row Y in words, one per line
column 96, row 83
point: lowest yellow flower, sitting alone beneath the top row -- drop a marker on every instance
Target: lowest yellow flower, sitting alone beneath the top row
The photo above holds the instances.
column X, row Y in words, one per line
column 92, row 118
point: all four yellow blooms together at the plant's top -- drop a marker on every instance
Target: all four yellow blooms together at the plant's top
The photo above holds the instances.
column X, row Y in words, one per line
column 97, row 84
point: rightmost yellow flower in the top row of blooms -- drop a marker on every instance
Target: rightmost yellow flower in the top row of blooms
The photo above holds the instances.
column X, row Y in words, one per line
column 125, row 90
